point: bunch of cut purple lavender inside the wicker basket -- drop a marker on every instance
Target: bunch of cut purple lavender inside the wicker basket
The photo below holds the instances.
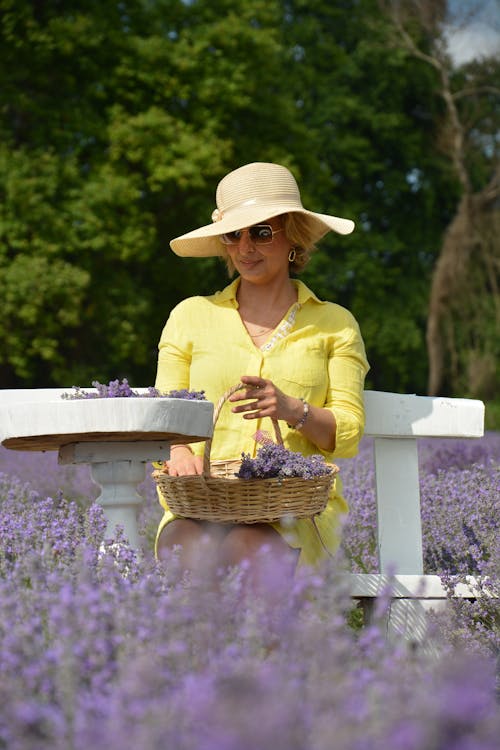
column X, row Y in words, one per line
column 274, row 460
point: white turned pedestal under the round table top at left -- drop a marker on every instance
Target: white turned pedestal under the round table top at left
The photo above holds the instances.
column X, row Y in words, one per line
column 117, row 468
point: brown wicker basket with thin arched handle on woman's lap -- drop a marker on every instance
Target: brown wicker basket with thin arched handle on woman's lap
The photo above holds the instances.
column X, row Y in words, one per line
column 218, row 496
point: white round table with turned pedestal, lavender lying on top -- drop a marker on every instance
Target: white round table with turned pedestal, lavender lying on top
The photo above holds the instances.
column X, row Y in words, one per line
column 116, row 436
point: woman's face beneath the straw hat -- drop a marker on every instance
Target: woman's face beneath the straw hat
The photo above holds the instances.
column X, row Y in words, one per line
column 261, row 263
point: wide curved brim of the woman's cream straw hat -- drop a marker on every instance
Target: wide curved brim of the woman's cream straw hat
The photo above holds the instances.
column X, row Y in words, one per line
column 205, row 242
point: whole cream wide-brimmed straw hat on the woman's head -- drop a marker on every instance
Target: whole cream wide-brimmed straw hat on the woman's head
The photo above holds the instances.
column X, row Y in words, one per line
column 250, row 195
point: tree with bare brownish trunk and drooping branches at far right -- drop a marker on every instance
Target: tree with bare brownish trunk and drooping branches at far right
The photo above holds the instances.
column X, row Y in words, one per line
column 463, row 321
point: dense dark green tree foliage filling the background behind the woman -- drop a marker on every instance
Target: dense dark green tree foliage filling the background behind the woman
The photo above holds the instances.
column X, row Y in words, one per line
column 118, row 119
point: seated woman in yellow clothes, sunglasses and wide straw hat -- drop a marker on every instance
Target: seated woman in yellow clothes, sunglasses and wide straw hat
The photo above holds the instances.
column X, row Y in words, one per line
column 302, row 361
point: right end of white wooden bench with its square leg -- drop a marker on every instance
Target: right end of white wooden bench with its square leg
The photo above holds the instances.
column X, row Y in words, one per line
column 396, row 421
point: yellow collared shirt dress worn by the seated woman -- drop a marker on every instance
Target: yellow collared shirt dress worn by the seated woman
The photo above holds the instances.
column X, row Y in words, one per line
column 316, row 353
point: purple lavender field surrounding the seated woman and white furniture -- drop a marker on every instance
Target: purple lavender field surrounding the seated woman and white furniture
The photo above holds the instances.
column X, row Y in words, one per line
column 101, row 648
